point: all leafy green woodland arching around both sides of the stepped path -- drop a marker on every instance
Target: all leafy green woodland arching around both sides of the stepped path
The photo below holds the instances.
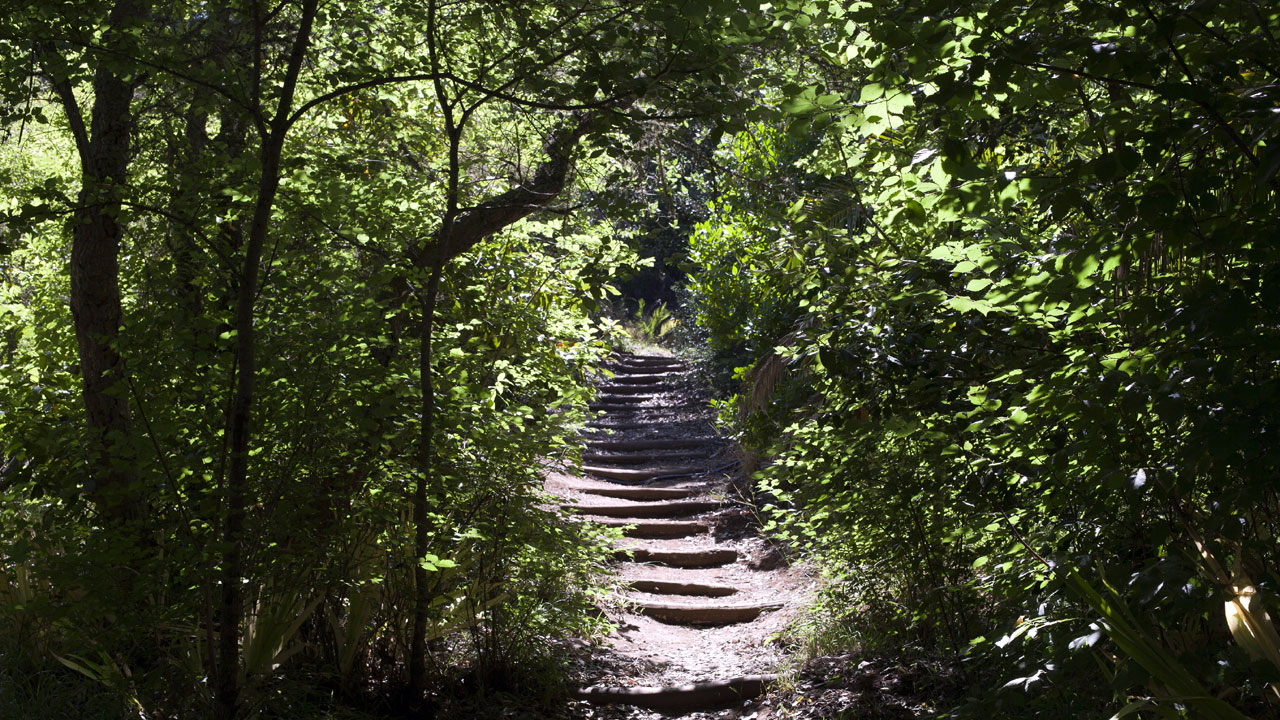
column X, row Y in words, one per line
column 299, row 299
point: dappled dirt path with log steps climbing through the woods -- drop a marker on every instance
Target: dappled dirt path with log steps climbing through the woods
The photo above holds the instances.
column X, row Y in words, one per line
column 703, row 594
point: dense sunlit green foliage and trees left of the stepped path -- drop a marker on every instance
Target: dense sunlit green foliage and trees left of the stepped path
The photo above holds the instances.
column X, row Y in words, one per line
column 285, row 348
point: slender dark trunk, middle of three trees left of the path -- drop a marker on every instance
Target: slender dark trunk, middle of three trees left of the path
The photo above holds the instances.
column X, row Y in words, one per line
column 231, row 610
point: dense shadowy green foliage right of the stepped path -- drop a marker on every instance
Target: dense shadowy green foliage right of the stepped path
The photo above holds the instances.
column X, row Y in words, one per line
column 1008, row 331
